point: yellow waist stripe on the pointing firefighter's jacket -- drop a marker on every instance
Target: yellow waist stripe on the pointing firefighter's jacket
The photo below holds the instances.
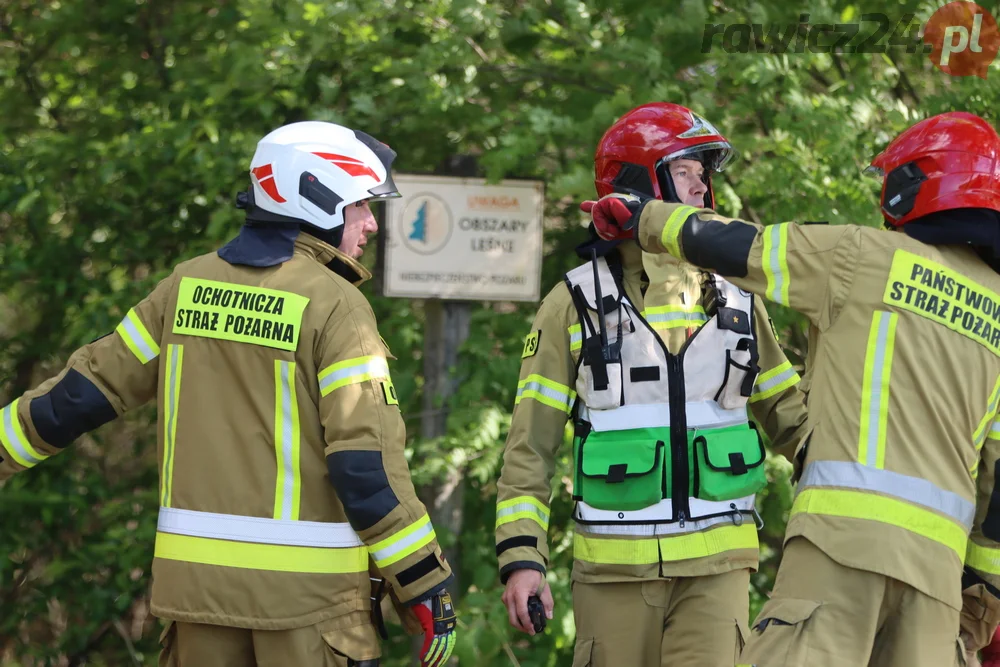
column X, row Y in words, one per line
column 872, row 507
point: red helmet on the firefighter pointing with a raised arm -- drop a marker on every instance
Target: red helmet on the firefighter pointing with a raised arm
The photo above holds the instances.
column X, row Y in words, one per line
column 947, row 161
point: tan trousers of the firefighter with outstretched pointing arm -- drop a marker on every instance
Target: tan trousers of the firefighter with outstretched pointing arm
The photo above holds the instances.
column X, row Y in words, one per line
column 824, row 614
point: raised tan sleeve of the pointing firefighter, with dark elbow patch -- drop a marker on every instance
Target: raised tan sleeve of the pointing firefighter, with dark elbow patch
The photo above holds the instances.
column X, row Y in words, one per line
column 809, row 268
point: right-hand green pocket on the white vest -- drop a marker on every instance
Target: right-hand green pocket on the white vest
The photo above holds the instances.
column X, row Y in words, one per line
column 730, row 462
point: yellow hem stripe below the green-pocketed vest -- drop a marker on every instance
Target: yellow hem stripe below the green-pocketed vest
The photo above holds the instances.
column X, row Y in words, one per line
column 617, row 551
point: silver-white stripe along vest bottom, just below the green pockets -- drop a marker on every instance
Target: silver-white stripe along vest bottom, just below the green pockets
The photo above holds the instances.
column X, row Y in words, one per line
column 661, row 511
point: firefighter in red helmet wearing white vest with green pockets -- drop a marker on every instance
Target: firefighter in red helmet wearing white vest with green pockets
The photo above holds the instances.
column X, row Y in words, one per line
column 655, row 362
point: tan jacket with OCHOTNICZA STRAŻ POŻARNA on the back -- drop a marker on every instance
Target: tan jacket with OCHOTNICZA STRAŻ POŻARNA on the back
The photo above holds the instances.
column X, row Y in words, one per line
column 280, row 440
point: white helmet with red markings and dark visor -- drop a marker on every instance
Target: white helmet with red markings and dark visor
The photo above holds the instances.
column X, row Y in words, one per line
column 310, row 171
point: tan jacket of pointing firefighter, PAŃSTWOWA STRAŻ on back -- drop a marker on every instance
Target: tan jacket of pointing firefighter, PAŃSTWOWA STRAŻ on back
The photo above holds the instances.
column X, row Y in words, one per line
column 903, row 385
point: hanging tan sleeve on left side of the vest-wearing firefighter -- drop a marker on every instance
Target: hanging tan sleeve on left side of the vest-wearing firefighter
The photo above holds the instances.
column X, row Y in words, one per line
column 545, row 397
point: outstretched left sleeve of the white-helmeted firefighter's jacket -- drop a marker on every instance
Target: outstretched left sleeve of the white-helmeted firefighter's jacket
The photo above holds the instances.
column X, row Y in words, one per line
column 100, row 382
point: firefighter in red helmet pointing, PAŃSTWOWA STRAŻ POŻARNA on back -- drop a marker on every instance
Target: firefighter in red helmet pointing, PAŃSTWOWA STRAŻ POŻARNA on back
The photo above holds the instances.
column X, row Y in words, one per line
column 900, row 465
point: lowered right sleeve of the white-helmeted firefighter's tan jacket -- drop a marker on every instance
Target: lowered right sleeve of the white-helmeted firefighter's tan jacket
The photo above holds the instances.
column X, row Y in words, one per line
column 365, row 439
